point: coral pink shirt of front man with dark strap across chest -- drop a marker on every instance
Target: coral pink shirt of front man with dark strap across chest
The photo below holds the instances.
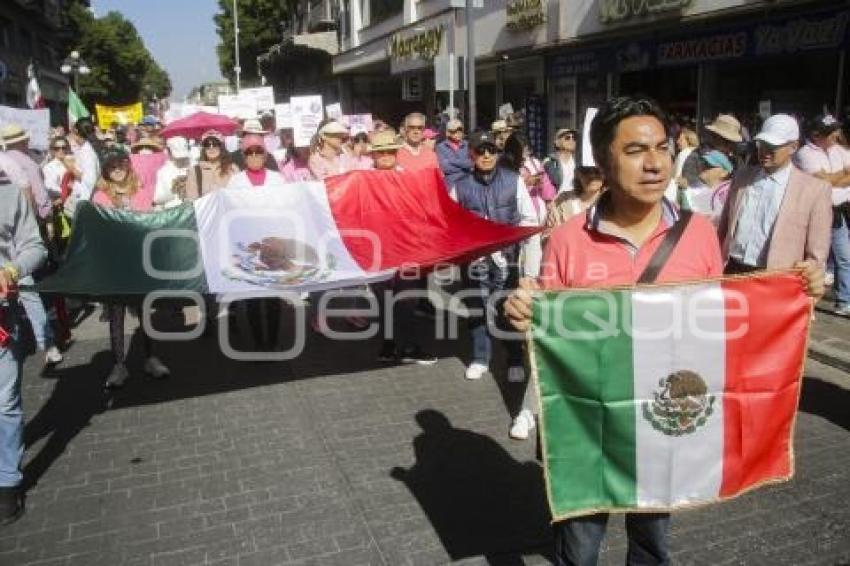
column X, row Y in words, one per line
column 578, row 254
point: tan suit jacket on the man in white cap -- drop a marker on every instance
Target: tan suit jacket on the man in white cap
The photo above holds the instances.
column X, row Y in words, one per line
column 803, row 225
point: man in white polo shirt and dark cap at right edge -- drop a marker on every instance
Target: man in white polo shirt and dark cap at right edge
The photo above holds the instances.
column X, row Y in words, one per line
column 825, row 158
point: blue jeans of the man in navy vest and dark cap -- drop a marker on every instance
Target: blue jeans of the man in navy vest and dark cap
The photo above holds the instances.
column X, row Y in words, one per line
column 487, row 278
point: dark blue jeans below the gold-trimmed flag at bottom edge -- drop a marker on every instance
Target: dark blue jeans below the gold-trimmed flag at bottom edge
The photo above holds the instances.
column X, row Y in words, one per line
column 577, row 540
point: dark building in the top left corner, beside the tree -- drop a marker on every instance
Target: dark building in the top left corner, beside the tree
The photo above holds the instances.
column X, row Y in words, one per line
column 33, row 31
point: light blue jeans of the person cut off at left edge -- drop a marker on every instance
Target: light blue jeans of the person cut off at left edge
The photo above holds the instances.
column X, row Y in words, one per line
column 11, row 410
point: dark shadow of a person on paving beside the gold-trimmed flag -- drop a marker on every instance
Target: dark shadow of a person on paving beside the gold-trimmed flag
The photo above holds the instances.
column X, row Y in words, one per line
column 479, row 500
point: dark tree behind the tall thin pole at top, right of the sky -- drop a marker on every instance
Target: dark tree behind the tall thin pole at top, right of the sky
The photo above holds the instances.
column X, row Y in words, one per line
column 259, row 29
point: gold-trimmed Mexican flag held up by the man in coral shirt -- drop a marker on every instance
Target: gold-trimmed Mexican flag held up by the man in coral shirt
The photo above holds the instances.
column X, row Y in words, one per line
column 659, row 397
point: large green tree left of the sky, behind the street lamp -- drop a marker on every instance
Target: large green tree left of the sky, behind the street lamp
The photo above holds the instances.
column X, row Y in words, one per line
column 122, row 69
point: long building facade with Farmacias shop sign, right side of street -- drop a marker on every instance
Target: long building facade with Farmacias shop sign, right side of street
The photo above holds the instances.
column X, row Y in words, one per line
column 553, row 59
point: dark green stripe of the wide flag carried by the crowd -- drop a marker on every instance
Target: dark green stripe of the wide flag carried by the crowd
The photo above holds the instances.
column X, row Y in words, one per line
column 106, row 254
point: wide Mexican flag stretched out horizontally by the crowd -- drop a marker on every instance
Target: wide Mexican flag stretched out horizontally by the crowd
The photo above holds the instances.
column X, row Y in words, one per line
column 347, row 230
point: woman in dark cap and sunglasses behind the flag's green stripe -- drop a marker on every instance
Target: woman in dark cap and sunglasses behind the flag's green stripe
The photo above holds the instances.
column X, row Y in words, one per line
column 120, row 188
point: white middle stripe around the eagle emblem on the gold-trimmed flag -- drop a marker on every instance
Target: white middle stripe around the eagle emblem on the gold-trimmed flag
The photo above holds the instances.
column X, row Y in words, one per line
column 677, row 469
